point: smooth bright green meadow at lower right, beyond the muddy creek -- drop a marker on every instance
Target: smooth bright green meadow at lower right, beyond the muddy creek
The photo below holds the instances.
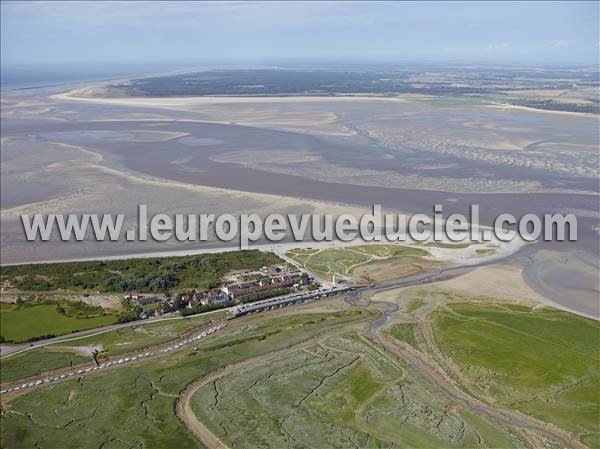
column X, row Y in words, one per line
column 543, row 362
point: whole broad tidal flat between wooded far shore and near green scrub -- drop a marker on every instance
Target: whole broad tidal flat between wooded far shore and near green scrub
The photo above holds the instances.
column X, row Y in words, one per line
column 63, row 154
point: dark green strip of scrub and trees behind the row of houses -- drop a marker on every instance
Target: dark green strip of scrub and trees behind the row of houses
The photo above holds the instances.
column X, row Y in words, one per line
column 150, row 275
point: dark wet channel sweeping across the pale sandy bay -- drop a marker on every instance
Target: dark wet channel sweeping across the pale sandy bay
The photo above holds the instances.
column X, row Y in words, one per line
column 190, row 159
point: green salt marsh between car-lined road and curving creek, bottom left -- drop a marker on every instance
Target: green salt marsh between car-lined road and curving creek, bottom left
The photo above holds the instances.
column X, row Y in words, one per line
column 132, row 406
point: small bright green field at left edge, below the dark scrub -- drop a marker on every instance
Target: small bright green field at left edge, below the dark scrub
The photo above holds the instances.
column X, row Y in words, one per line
column 20, row 323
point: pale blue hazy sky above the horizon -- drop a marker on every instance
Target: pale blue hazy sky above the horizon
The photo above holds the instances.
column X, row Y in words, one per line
column 129, row 33
